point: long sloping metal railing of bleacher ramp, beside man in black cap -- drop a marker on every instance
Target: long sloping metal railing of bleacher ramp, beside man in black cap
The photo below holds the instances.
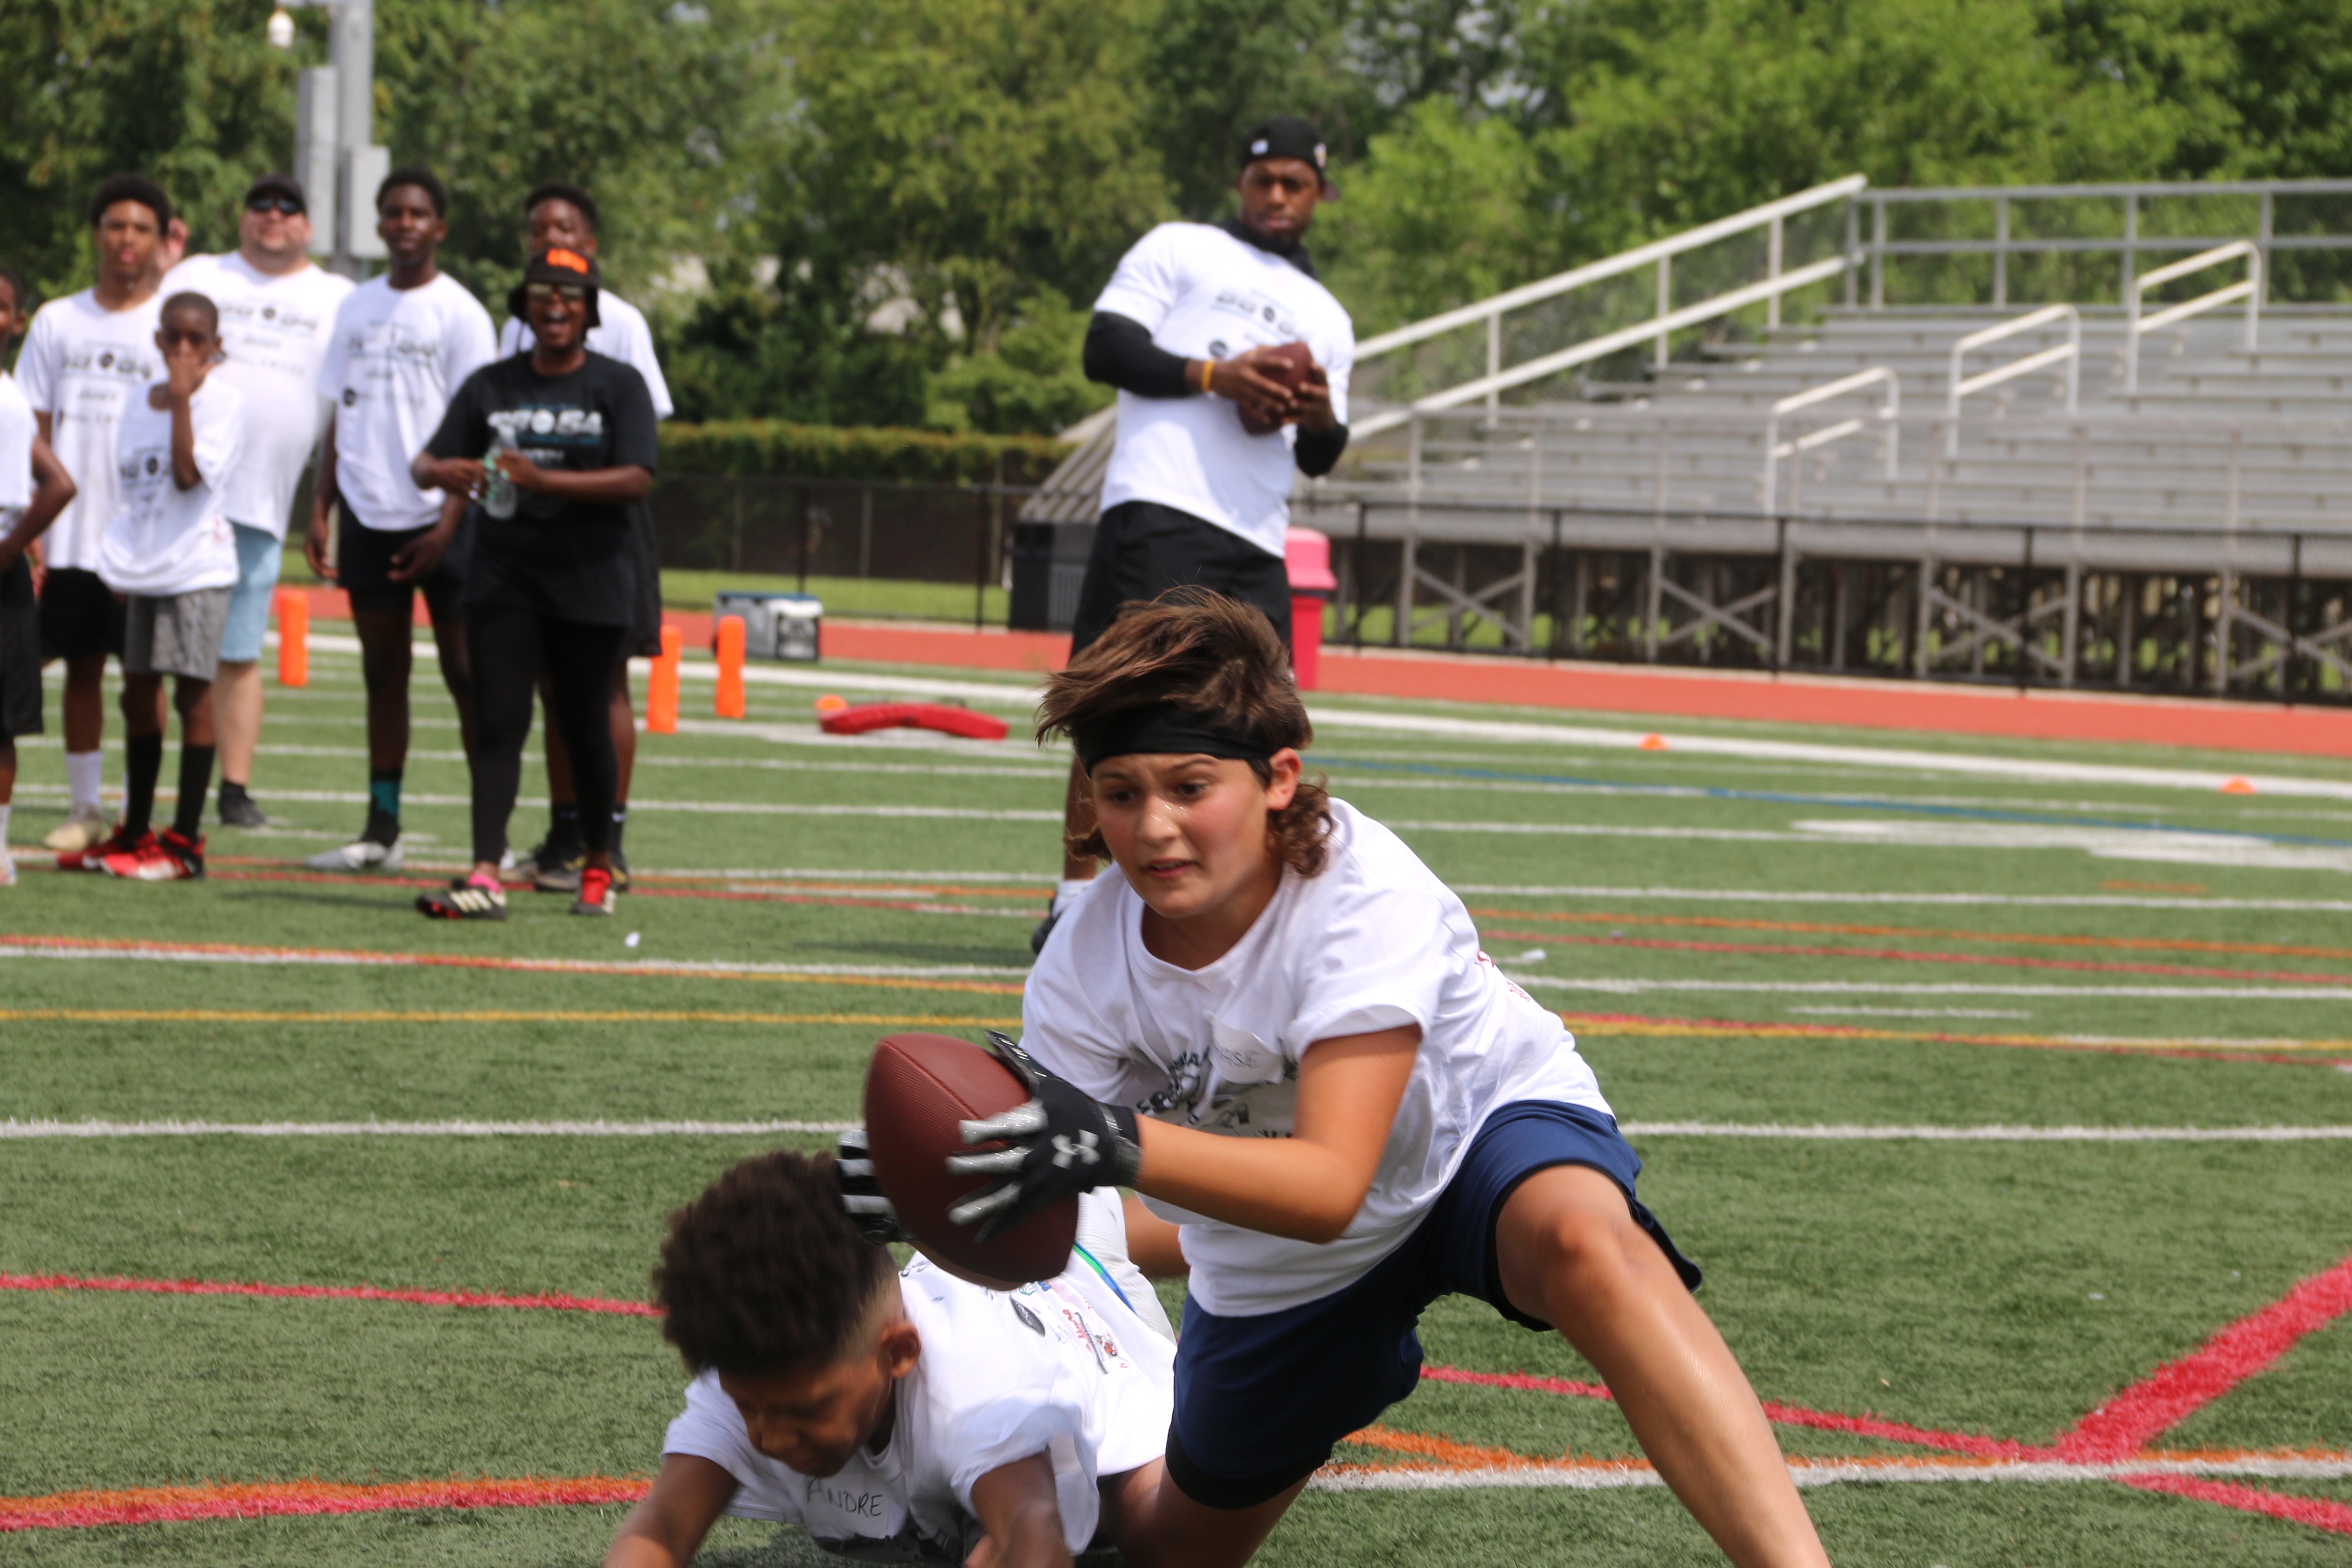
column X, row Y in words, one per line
column 1659, row 255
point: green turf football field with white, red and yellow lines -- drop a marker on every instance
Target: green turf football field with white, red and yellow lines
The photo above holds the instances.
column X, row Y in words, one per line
column 2003, row 1087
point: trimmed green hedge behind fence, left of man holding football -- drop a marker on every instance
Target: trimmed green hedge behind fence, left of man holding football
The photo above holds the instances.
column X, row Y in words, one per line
column 836, row 453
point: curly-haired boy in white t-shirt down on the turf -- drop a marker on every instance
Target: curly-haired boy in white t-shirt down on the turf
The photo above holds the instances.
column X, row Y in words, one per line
column 900, row 1416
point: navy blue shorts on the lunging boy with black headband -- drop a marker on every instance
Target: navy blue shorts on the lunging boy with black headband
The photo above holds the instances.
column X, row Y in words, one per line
column 1264, row 1400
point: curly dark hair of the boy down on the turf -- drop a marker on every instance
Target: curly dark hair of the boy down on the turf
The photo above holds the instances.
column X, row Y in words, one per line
column 763, row 1273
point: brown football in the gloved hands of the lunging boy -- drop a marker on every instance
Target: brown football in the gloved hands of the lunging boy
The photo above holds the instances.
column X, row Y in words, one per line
column 918, row 1090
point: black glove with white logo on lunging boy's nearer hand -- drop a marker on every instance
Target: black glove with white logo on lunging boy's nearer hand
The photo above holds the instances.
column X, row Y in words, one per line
column 1064, row 1144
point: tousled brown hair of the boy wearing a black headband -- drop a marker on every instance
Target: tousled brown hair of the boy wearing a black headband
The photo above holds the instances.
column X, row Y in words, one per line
column 1217, row 657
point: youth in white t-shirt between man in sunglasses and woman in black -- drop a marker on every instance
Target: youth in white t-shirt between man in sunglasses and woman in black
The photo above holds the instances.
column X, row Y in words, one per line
column 401, row 349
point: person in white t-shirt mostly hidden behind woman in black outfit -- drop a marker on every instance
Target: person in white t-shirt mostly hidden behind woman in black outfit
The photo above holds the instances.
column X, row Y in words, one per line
column 559, row 215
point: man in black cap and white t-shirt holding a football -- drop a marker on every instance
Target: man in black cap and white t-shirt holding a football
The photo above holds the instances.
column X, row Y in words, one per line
column 1191, row 495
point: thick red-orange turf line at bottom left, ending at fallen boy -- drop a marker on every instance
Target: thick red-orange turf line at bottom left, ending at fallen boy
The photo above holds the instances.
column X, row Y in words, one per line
column 288, row 1499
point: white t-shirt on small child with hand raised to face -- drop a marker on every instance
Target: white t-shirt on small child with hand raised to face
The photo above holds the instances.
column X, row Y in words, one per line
column 168, row 540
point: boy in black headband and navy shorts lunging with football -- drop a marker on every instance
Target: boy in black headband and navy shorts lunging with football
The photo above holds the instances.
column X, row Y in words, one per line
column 1276, row 1024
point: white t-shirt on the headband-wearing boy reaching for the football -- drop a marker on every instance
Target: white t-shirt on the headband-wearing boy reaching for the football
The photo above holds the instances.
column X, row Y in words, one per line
column 1372, row 944
